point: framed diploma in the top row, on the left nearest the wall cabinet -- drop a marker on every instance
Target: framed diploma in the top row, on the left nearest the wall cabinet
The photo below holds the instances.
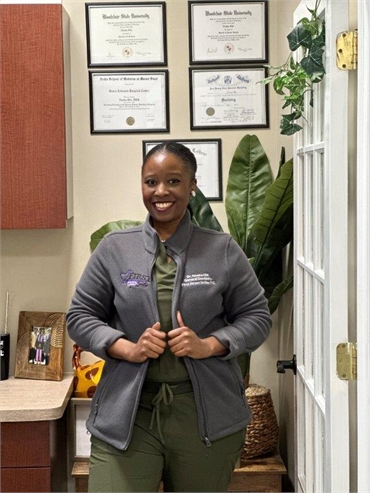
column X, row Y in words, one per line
column 126, row 34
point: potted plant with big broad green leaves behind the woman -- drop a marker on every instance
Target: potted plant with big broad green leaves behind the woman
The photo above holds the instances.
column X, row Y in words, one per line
column 259, row 211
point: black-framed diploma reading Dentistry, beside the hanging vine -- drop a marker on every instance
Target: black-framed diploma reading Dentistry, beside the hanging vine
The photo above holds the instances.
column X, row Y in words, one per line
column 228, row 98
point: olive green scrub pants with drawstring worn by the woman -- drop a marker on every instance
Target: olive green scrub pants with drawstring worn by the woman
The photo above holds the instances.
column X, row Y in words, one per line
column 165, row 446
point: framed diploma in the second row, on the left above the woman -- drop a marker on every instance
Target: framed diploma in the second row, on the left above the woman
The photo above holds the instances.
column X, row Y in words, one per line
column 129, row 101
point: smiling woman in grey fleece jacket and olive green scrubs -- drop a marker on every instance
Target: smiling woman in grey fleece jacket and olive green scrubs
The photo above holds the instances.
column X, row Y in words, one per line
column 169, row 306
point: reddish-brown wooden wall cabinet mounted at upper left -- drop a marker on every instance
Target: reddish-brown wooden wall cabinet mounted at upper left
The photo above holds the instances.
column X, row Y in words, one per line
column 34, row 133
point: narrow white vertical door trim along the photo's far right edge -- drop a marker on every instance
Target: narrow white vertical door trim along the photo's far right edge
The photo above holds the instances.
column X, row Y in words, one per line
column 363, row 249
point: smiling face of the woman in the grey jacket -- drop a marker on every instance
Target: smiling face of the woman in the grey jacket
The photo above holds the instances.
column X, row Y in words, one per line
column 166, row 187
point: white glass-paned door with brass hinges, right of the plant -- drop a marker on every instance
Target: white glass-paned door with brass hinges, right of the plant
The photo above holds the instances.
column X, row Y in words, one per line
column 320, row 270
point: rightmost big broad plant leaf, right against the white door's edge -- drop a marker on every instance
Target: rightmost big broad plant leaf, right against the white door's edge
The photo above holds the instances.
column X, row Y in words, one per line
column 274, row 228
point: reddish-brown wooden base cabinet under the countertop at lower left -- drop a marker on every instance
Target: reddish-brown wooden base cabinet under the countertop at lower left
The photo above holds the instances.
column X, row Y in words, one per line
column 33, row 456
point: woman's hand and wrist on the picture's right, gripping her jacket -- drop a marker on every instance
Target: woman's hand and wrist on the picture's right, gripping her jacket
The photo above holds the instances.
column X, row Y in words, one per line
column 184, row 342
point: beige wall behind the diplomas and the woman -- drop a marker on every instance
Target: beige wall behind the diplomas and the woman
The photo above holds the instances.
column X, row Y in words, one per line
column 42, row 267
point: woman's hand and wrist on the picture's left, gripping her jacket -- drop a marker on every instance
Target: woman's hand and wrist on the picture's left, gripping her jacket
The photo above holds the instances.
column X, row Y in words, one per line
column 151, row 344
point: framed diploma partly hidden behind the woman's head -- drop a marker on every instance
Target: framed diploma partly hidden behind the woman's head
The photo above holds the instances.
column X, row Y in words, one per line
column 208, row 154
